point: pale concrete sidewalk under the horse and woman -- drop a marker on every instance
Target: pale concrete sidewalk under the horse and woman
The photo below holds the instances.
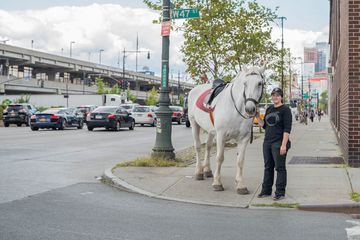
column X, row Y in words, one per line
column 308, row 184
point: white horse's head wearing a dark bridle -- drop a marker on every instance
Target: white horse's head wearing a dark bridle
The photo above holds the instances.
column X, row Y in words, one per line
column 254, row 82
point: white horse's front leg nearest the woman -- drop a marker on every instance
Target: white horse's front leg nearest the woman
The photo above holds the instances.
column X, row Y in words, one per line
column 240, row 185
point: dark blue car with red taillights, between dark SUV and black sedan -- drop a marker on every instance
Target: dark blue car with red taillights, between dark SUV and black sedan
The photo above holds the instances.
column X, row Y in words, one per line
column 57, row 118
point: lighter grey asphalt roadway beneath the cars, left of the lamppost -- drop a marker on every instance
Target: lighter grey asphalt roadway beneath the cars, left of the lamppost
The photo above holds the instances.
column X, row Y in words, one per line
column 35, row 162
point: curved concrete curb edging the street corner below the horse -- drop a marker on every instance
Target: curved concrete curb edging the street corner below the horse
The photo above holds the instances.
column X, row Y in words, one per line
column 109, row 178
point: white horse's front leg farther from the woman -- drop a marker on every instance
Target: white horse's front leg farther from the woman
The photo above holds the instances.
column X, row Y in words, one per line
column 220, row 146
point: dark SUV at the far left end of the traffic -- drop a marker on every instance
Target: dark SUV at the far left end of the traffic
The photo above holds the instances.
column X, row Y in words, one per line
column 18, row 114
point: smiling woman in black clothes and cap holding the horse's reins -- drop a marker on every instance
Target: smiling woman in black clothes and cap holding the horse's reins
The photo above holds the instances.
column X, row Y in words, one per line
column 277, row 124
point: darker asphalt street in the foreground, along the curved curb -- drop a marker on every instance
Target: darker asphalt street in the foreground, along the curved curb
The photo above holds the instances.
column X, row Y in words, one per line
column 97, row 211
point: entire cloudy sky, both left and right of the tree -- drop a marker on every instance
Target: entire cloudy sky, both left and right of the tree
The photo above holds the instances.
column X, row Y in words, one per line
column 113, row 25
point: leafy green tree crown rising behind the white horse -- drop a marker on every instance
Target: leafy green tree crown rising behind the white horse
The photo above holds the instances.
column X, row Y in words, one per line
column 229, row 34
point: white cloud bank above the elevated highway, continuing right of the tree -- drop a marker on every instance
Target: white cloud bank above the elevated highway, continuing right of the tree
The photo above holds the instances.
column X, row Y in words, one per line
column 111, row 27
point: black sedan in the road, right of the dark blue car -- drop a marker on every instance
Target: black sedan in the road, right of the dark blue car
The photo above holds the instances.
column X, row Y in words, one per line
column 110, row 117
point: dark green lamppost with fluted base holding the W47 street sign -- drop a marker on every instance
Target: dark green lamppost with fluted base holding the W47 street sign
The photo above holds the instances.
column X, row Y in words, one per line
column 163, row 145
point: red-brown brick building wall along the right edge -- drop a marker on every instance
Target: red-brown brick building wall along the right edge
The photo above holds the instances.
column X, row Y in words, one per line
column 345, row 83
